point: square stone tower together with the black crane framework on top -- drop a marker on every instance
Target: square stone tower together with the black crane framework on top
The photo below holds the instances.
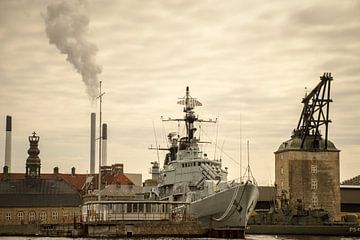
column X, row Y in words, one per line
column 307, row 165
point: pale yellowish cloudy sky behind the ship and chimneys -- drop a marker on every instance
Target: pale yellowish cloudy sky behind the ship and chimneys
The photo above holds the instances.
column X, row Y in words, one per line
column 248, row 58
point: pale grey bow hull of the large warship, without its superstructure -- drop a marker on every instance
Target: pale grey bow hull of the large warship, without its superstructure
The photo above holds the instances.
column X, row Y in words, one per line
column 230, row 208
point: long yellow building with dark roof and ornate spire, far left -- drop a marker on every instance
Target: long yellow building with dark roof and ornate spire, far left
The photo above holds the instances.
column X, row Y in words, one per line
column 30, row 199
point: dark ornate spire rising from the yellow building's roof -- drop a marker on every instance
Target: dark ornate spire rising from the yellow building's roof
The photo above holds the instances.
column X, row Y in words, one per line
column 33, row 161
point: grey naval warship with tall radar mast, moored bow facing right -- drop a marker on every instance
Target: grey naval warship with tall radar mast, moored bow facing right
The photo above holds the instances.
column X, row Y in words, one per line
column 188, row 175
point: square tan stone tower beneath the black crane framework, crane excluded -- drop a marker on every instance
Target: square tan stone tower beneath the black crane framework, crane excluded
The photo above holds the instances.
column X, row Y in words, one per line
column 309, row 176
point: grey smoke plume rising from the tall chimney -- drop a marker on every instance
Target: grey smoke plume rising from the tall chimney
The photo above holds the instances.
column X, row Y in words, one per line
column 66, row 27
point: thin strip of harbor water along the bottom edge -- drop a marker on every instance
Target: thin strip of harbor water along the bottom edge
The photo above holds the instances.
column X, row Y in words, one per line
column 248, row 237
